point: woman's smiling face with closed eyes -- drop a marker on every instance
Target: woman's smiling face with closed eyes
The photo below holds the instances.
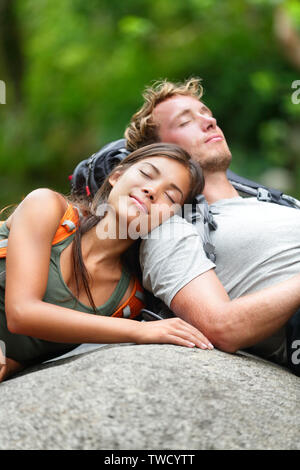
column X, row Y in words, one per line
column 149, row 192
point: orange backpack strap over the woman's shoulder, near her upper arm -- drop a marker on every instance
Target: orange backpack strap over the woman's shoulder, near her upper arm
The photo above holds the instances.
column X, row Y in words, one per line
column 67, row 226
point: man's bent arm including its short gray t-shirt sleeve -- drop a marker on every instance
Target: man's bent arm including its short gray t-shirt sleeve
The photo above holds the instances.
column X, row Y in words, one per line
column 176, row 269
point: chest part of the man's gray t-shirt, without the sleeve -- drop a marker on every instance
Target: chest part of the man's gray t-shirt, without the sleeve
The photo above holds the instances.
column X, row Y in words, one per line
column 257, row 244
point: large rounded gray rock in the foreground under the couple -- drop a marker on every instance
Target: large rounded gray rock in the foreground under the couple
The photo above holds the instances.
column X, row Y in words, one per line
column 151, row 397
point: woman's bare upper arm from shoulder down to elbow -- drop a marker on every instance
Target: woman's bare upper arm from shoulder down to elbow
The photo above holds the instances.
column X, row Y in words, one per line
column 32, row 228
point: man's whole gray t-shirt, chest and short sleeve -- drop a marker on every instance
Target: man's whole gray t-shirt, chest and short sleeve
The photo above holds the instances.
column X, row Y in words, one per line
column 257, row 245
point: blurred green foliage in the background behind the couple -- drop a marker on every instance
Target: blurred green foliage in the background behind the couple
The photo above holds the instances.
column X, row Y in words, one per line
column 87, row 63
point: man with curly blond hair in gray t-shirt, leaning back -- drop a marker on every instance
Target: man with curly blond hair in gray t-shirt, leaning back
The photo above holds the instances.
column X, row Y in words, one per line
column 257, row 252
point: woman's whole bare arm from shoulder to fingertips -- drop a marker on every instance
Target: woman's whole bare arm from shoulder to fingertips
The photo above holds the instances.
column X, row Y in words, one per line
column 32, row 228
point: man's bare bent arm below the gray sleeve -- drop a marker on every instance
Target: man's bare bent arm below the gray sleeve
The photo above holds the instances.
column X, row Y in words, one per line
column 235, row 324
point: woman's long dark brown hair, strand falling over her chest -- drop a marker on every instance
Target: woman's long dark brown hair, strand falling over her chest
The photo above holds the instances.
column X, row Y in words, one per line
column 90, row 218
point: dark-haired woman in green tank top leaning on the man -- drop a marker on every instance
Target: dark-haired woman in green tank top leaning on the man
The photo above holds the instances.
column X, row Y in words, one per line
column 50, row 282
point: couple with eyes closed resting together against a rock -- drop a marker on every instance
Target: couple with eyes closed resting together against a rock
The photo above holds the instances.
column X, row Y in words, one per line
column 59, row 263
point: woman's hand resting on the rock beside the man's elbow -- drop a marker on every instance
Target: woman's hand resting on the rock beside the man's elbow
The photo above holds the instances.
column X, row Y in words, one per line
column 172, row 331
